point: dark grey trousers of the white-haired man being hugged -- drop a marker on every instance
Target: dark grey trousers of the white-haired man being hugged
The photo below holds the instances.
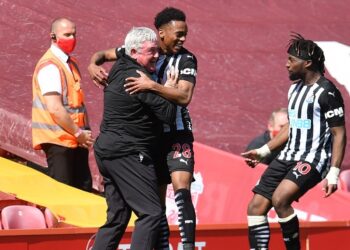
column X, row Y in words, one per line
column 130, row 185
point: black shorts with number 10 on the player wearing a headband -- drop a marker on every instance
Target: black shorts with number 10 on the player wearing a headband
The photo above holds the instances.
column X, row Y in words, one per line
column 302, row 173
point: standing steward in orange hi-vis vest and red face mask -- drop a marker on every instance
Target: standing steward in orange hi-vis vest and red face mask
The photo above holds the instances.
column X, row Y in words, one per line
column 60, row 124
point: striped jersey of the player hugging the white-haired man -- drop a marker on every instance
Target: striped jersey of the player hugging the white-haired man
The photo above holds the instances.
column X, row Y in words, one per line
column 186, row 63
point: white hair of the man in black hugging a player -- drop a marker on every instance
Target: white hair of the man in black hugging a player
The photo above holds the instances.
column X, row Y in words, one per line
column 137, row 36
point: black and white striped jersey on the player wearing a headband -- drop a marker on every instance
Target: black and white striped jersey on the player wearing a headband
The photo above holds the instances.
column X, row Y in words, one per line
column 312, row 111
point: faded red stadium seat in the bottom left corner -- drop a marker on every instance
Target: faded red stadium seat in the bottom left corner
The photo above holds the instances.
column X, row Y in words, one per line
column 22, row 217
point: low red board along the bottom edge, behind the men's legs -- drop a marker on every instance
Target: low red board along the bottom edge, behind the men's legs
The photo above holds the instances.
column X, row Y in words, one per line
column 314, row 236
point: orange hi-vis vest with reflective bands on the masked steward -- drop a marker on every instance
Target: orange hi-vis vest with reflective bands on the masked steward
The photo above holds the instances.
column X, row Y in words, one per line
column 44, row 128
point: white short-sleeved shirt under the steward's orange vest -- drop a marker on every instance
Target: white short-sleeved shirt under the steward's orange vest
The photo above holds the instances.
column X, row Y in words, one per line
column 49, row 78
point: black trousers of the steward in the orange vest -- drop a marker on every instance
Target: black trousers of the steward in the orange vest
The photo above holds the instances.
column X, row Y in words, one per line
column 69, row 165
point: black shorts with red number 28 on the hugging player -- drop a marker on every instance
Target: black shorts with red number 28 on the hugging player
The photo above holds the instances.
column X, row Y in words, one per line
column 176, row 155
